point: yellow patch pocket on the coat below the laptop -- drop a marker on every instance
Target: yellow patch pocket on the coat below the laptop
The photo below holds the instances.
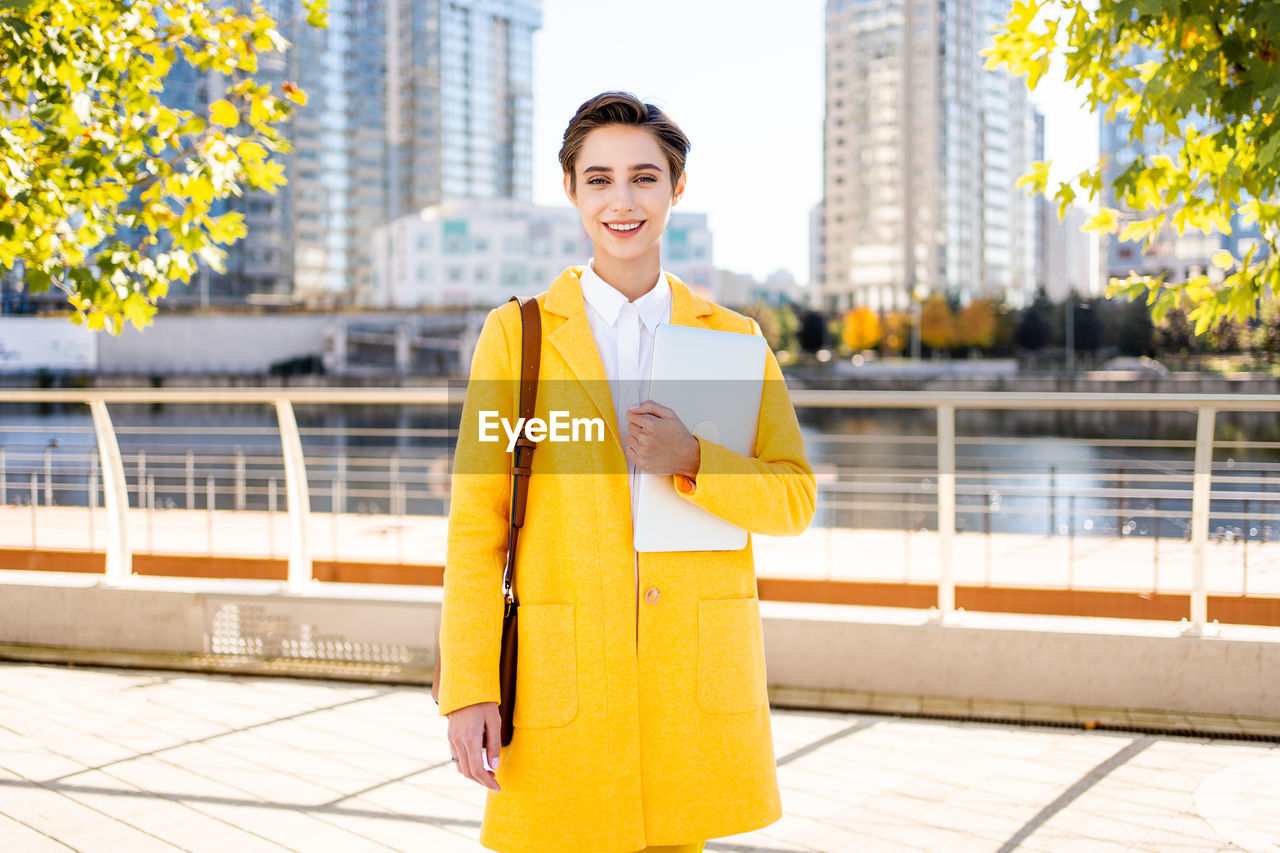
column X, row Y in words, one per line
column 730, row 655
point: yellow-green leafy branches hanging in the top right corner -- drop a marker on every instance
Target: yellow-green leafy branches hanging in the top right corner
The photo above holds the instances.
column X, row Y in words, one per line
column 1203, row 116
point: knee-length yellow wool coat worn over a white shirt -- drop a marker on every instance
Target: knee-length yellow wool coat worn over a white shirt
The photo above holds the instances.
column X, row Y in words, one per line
column 637, row 723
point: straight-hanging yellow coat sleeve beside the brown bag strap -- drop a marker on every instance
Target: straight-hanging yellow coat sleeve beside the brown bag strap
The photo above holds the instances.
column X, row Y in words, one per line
column 477, row 545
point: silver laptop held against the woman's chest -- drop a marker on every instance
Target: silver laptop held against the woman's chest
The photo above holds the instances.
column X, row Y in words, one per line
column 714, row 382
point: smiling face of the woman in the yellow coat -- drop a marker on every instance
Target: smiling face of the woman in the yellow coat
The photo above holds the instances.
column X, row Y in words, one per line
column 624, row 194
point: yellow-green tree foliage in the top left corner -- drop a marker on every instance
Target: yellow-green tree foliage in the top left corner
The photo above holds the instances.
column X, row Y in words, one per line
column 107, row 193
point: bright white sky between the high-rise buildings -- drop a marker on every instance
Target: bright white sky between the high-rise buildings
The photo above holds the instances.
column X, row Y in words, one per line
column 744, row 80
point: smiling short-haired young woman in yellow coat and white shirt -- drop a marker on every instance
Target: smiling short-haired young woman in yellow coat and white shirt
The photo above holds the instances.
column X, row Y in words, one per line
column 642, row 720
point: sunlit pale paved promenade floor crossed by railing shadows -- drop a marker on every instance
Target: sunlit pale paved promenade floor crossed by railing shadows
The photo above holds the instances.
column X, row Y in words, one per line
column 134, row 761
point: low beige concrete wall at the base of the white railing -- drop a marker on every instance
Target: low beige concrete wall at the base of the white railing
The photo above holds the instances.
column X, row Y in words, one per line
column 990, row 658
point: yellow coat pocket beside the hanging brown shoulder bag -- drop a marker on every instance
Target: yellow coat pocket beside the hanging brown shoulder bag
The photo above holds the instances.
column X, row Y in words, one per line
column 546, row 667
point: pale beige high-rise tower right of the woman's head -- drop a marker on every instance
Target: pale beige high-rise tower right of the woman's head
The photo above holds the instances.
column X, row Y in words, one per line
column 922, row 153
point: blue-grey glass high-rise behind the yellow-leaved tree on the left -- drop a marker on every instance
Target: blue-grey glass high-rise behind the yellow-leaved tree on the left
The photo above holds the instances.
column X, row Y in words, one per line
column 410, row 103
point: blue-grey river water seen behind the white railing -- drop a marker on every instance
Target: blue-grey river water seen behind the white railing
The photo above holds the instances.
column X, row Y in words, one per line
column 1025, row 472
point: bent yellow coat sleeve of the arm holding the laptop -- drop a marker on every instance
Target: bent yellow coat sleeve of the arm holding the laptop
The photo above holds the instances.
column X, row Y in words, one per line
column 774, row 491
